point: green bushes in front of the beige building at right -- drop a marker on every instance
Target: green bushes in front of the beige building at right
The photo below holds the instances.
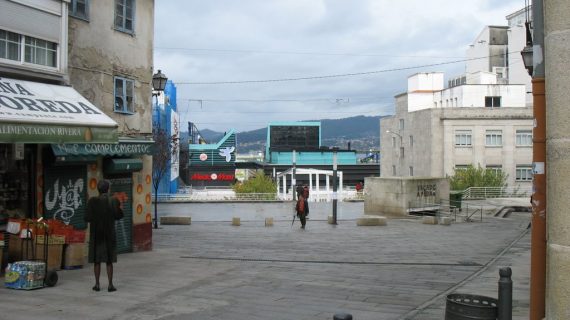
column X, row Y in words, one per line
column 477, row 177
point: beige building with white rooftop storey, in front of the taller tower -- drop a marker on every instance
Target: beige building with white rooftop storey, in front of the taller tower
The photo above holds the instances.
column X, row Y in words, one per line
column 437, row 130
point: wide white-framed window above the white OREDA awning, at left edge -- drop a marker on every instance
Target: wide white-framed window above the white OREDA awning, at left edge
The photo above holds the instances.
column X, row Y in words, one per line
column 20, row 48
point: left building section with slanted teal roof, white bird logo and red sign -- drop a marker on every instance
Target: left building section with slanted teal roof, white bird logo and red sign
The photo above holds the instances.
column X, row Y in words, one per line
column 213, row 164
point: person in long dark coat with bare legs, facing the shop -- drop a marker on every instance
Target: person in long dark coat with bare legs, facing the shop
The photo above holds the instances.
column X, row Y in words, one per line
column 102, row 211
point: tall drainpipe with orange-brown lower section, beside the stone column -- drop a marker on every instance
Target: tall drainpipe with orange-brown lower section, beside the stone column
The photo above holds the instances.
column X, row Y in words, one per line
column 538, row 234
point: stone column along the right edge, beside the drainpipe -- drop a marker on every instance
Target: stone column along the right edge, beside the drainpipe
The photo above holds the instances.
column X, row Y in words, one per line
column 557, row 78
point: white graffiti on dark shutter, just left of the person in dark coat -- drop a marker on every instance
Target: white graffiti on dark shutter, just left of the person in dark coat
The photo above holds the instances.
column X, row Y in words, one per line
column 65, row 199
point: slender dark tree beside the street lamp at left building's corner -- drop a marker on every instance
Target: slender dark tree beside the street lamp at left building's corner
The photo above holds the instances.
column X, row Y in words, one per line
column 165, row 148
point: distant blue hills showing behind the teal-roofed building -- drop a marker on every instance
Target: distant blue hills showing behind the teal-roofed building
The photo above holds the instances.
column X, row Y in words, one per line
column 362, row 132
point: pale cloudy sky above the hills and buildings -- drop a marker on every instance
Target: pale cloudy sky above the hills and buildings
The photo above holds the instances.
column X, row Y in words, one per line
column 241, row 64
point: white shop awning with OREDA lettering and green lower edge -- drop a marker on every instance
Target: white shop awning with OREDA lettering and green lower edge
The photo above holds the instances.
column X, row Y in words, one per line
column 33, row 112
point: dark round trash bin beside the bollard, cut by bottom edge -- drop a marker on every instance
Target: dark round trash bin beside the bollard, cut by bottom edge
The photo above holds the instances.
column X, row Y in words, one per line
column 461, row 306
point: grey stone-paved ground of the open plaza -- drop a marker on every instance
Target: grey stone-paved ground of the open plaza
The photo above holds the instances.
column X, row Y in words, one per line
column 212, row 270
